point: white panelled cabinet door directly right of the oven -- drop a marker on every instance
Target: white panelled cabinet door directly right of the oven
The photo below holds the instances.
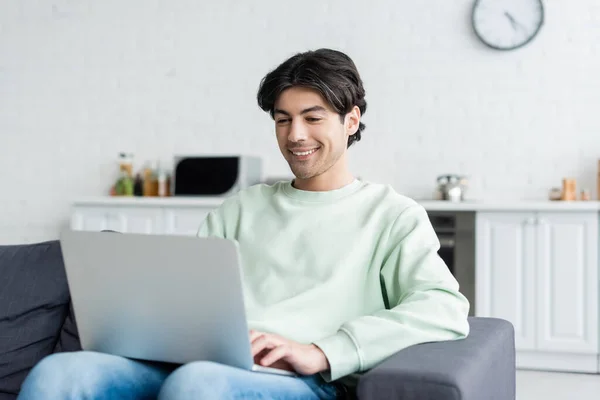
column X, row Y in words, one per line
column 505, row 272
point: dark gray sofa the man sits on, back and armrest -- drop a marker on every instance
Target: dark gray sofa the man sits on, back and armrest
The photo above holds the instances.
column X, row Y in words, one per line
column 36, row 320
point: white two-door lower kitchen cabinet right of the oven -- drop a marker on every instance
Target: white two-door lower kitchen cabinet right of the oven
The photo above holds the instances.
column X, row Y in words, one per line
column 539, row 270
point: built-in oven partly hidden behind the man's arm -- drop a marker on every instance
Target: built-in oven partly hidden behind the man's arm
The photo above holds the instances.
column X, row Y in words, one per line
column 456, row 233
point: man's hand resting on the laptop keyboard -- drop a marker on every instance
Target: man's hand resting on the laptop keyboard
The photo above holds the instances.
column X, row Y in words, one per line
column 271, row 350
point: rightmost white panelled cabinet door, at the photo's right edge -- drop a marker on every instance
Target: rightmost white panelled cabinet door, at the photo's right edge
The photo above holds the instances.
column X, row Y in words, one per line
column 567, row 270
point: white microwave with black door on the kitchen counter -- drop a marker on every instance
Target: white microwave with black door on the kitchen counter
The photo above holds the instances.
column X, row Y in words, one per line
column 203, row 175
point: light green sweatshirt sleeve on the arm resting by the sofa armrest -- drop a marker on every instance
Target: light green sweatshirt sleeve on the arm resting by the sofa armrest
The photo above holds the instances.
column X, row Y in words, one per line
column 422, row 300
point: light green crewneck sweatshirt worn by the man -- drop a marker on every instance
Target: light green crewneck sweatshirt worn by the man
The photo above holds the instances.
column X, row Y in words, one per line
column 354, row 271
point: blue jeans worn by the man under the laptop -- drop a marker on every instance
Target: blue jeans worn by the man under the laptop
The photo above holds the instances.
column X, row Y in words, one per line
column 91, row 375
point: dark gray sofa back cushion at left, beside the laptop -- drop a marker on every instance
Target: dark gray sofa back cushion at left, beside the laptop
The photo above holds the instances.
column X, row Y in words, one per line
column 34, row 303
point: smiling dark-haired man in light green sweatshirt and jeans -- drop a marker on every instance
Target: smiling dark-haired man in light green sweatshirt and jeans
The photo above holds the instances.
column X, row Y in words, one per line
column 338, row 273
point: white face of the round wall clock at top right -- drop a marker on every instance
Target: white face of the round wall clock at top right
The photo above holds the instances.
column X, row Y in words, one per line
column 507, row 24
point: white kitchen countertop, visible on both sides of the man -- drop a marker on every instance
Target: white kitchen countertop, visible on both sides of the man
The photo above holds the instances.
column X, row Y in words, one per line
column 430, row 205
